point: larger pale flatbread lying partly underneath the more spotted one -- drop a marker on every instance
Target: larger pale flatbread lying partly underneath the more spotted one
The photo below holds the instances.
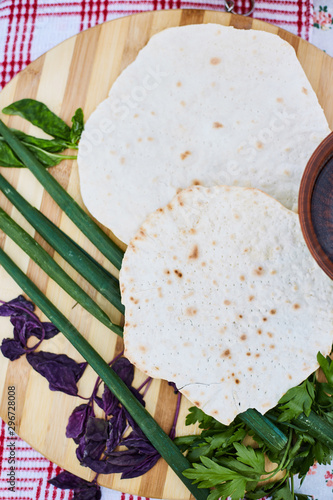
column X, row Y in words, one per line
column 201, row 104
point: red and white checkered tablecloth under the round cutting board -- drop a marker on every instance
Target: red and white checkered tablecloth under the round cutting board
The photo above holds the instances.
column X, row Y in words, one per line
column 28, row 28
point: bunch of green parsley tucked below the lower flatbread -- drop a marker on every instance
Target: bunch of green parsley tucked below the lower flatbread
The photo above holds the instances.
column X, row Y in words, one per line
column 222, row 459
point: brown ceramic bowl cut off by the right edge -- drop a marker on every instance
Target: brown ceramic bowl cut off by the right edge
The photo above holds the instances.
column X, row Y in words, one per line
column 315, row 205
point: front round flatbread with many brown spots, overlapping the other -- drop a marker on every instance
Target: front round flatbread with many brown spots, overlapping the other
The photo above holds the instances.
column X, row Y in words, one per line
column 223, row 298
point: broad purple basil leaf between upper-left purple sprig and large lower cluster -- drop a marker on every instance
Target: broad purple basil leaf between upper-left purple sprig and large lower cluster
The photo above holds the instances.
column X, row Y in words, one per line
column 61, row 372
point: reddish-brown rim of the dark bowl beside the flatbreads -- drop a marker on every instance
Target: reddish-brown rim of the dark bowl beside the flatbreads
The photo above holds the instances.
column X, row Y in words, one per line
column 318, row 161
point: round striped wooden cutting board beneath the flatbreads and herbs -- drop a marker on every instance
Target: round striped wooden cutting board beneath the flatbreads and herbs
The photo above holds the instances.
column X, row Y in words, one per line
column 79, row 73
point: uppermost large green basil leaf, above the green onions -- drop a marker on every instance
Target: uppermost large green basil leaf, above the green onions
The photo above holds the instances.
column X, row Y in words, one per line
column 41, row 116
